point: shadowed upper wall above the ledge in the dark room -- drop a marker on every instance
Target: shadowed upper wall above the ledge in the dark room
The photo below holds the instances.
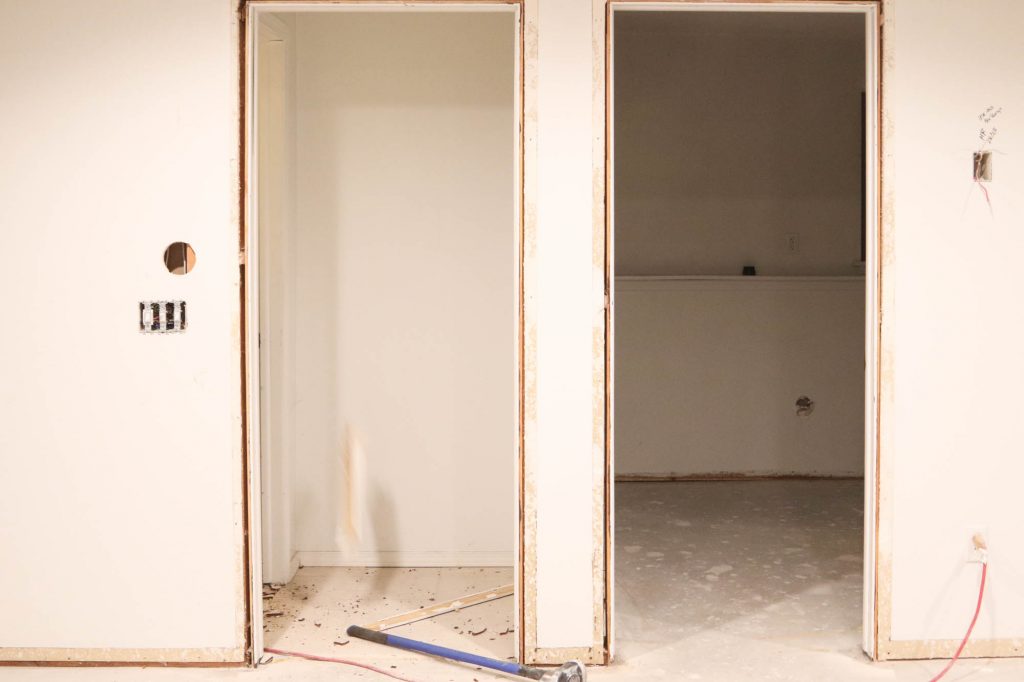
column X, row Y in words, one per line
column 733, row 132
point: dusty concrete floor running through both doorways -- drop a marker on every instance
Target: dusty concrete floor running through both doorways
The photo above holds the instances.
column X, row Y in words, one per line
column 718, row 582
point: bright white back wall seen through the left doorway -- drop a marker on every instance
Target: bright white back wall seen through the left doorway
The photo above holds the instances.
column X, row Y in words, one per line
column 405, row 302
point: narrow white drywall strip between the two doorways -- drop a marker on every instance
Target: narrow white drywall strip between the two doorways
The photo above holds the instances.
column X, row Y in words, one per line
column 566, row 291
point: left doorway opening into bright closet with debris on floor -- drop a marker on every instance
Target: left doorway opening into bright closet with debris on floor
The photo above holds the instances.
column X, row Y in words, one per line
column 383, row 293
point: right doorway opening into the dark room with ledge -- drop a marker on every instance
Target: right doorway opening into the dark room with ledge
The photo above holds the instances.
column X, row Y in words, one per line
column 743, row 233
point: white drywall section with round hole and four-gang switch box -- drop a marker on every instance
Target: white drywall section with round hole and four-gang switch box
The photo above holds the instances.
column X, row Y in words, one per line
column 121, row 485
